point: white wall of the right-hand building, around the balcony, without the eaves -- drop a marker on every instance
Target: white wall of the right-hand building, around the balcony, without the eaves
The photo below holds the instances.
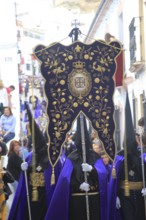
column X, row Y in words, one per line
column 116, row 22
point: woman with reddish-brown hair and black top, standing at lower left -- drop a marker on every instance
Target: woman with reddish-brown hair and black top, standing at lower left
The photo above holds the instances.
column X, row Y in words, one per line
column 14, row 161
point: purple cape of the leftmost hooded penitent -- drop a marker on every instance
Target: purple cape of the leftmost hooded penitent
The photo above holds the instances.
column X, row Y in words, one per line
column 19, row 205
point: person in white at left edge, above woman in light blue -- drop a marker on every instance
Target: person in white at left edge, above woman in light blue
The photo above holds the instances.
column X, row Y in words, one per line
column 3, row 97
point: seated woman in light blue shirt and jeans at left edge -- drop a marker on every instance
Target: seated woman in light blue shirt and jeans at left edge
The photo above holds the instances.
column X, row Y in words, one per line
column 7, row 125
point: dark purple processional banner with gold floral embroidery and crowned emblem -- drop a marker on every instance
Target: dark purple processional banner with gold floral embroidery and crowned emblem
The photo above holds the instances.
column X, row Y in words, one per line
column 79, row 78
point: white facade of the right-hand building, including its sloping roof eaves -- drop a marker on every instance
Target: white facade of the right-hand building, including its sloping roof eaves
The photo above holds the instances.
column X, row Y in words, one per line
column 115, row 18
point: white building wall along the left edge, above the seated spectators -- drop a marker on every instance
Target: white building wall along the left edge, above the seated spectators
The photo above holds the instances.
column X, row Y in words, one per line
column 8, row 54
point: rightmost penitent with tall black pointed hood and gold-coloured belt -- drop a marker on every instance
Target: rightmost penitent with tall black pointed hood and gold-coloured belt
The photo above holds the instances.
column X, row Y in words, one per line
column 126, row 197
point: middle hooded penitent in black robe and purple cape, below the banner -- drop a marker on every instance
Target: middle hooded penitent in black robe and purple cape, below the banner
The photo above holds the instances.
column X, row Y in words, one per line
column 71, row 188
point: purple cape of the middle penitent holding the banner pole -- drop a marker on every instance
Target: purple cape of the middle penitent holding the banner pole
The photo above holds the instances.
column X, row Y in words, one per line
column 59, row 206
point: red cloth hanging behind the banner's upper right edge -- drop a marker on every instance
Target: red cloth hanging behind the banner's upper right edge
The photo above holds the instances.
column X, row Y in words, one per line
column 119, row 70
